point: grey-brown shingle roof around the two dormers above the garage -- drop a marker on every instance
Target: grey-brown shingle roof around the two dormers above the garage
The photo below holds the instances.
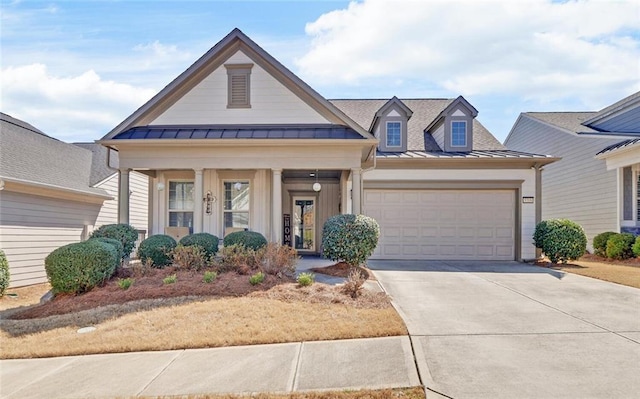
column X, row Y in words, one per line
column 424, row 112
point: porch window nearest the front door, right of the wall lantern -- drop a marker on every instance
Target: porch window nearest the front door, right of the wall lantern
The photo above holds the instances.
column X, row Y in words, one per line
column 237, row 205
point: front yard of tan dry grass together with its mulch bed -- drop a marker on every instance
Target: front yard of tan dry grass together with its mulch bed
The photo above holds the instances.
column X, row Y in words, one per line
column 227, row 312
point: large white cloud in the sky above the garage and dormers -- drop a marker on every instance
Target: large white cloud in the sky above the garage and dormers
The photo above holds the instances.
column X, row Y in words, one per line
column 538, row 50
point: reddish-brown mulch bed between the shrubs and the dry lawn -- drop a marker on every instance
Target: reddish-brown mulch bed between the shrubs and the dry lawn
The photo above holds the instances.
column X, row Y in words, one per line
column 150, row 286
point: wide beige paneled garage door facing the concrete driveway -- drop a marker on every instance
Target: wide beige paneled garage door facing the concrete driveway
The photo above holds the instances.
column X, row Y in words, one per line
column 443, row 224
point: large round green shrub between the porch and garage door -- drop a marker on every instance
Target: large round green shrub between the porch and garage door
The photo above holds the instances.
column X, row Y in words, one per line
column 350, row 238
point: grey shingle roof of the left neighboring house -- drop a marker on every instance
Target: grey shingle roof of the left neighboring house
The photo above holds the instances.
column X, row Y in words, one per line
column 30, row 156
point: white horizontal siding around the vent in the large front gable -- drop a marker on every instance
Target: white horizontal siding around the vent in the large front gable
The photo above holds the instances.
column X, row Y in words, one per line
column 271, row 102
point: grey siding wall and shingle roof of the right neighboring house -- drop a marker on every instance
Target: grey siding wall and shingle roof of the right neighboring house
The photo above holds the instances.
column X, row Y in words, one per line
column 578, row 187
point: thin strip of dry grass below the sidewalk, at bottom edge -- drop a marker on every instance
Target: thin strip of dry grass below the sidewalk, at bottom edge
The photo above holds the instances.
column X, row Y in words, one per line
column 400, row 393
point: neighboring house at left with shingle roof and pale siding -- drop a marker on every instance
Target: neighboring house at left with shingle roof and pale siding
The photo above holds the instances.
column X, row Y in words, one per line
column 54, row 193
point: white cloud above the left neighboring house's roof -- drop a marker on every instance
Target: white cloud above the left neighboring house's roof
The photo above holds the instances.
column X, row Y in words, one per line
column 71, row 108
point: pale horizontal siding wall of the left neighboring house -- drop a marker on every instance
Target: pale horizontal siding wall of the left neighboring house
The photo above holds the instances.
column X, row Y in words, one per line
column 33, row 226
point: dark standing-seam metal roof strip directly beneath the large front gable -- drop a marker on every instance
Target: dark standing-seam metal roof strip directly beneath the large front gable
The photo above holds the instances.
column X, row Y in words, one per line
column 240, row 132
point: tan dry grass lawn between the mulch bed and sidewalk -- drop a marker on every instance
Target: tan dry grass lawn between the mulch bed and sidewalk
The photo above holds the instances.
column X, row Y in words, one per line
column 194, row 322
